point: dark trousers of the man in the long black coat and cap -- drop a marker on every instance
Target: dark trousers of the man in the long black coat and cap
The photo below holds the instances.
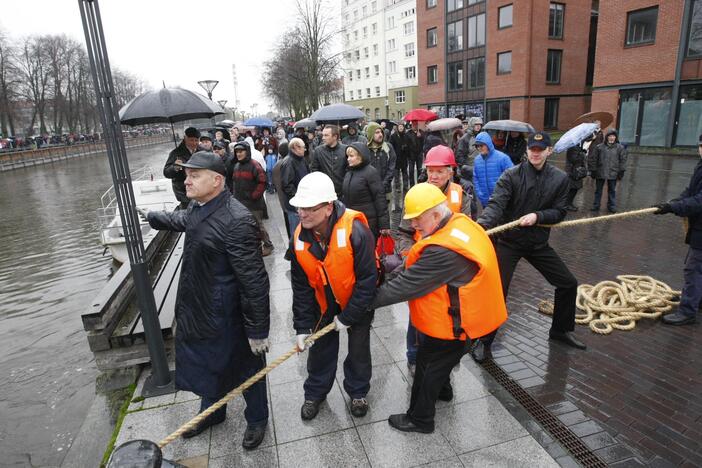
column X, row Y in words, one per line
column 256, row 412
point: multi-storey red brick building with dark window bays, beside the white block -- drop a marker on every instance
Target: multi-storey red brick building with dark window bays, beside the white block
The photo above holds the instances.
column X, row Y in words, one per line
column 506, row 59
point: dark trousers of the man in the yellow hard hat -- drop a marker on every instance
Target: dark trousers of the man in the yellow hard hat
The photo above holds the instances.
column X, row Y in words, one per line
column 435, row 359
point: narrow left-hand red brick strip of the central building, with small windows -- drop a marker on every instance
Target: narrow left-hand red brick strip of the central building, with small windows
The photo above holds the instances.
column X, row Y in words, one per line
column 427, row 19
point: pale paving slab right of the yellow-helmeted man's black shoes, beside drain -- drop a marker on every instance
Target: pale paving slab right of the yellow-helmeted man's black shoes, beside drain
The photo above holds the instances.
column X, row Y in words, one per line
column 477, row 423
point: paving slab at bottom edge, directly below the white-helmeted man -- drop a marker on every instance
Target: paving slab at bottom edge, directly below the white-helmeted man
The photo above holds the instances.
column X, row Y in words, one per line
column 337, row 449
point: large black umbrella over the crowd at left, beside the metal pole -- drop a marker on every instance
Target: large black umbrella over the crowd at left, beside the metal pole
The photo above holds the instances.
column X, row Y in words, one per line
column 168, row 105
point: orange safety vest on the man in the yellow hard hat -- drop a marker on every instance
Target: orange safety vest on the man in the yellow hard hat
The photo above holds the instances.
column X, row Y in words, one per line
column 479, row 307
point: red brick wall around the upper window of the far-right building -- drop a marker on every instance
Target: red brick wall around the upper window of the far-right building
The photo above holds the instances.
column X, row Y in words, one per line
column 616, row 64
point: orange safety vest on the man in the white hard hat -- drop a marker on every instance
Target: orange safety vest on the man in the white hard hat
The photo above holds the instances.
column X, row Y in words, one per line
column 337, row 267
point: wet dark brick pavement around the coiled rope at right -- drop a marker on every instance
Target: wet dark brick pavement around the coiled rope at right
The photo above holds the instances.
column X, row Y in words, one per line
column 633, row 397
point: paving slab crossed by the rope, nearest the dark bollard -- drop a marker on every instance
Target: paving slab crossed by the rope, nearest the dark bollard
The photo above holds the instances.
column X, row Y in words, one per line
column 155, row 424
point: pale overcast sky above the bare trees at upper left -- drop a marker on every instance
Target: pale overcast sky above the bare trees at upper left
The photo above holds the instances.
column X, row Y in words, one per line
column 178, row 41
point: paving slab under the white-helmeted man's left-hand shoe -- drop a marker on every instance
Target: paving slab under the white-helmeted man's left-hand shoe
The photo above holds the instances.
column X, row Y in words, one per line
column 287, row 401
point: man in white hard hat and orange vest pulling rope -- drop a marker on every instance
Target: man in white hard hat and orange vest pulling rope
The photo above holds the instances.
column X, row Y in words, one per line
column 334, row 276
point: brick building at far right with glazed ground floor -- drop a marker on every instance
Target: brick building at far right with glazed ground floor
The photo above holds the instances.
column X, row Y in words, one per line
column 648, row 70
